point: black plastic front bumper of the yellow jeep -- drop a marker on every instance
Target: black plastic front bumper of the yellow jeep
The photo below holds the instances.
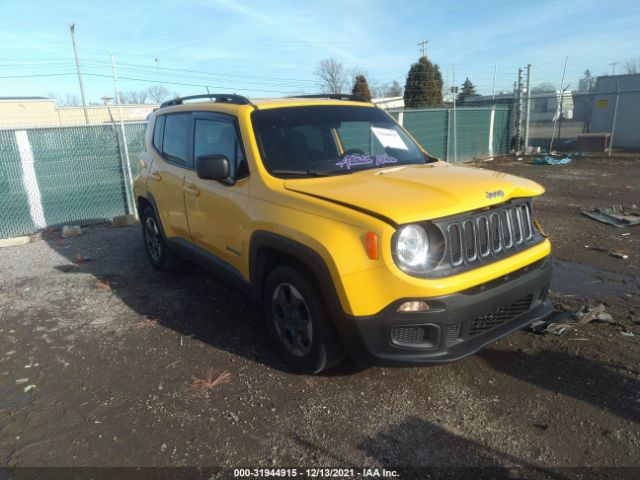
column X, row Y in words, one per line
column 455, row 325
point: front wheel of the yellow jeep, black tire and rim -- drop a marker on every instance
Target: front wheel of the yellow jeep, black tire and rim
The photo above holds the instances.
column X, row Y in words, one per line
column 299, row 323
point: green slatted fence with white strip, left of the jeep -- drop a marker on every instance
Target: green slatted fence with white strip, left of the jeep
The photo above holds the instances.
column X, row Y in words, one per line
column 77, row 175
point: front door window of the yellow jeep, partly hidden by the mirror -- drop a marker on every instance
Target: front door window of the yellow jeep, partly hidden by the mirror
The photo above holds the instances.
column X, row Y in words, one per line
column 219, row 137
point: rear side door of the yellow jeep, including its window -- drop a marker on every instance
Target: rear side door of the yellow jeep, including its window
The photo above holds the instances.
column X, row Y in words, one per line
column 171, row 159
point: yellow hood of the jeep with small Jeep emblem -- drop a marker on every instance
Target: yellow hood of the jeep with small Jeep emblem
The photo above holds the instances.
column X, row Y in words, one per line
column 411, row 193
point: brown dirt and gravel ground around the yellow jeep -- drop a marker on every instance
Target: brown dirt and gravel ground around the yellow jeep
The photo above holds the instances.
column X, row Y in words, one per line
column 98, row 354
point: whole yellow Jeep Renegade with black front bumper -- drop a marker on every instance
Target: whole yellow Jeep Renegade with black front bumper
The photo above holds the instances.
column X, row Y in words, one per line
column 352, row 237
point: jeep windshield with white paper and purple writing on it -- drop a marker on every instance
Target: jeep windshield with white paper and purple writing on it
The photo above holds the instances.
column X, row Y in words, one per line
column 331, row 140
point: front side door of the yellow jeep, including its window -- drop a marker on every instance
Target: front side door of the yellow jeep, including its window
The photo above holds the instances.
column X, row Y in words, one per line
column 217, row 212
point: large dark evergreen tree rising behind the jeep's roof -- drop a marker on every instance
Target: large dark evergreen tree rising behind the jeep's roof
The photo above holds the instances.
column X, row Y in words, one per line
column 424, row 85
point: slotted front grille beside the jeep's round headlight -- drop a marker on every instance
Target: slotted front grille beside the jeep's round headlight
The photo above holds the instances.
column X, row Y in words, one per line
column 486, row 234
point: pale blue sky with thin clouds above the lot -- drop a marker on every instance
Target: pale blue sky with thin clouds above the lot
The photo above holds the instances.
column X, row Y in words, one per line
column 270, row 48
